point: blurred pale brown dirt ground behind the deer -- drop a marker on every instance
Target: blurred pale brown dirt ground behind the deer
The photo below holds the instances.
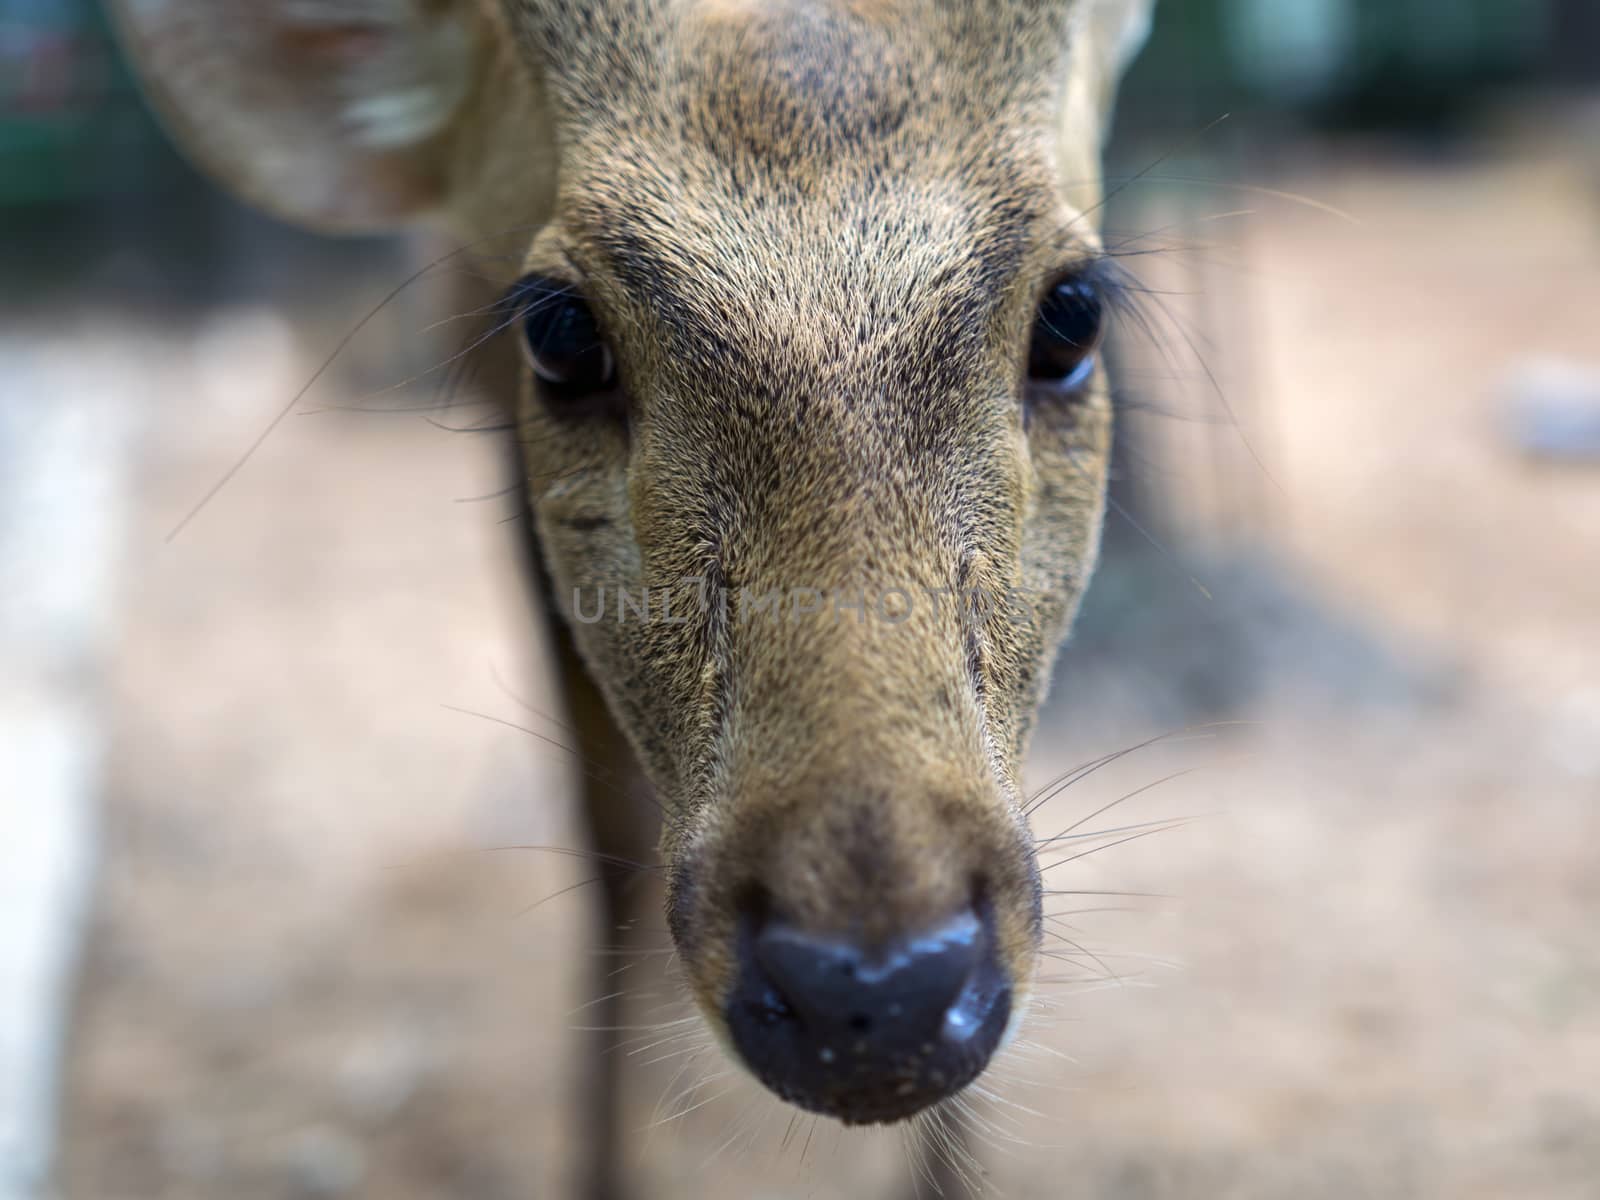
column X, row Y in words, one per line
column 1367, row 967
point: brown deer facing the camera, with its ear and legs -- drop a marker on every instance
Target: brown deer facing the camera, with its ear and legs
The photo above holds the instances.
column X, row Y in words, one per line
column 810, row 303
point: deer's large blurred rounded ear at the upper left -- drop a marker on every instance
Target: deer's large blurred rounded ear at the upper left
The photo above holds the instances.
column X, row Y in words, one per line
column 334, row 114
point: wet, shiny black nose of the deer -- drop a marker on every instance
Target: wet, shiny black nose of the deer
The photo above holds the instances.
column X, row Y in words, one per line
column 868, row 1038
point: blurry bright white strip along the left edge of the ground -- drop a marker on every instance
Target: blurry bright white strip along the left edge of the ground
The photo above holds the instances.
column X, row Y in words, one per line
column 66, row 444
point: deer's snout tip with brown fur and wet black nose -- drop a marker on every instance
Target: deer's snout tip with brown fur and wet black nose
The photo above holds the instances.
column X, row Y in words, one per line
column 863, row 954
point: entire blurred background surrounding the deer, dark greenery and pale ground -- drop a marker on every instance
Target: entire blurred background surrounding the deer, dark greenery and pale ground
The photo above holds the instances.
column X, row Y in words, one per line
column 263, row 926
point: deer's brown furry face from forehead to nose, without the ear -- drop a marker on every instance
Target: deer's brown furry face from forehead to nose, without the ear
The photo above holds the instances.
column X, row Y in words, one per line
column 817, row 447
